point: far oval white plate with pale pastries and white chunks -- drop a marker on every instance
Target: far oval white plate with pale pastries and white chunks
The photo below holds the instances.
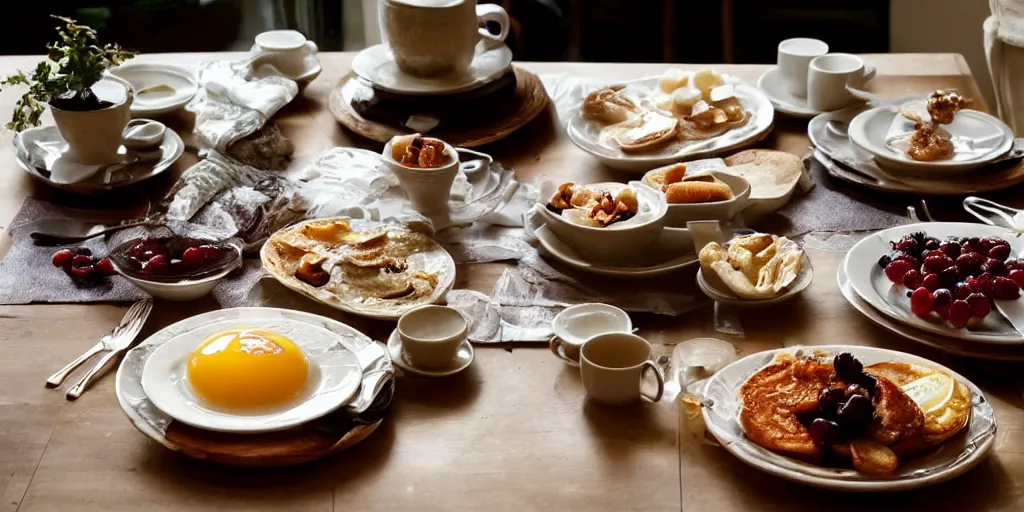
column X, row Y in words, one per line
column 654, row 122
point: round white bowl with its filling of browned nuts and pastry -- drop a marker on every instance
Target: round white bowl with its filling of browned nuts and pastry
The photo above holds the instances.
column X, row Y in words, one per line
column 604, row 223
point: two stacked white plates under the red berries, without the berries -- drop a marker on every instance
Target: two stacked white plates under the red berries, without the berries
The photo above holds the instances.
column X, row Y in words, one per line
column 865, row 284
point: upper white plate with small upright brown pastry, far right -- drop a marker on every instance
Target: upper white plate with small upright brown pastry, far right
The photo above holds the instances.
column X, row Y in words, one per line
column 938, row 136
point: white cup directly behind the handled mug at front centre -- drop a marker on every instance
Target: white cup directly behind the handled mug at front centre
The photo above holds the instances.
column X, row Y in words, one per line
column 576, row 325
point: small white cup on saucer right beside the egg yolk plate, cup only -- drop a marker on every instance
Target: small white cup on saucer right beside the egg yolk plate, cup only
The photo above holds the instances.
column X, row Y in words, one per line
column 432, row 335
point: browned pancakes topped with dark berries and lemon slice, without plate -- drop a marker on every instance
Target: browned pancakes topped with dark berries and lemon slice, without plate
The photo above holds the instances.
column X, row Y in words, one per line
column 831, row 410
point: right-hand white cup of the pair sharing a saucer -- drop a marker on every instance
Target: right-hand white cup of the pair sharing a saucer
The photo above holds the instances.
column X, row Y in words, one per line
column 828, row 77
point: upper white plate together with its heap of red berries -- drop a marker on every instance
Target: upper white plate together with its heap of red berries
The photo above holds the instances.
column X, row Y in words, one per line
column 953, row 279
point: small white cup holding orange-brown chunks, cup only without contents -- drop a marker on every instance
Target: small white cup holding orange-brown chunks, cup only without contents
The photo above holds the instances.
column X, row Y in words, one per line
column 429, row 189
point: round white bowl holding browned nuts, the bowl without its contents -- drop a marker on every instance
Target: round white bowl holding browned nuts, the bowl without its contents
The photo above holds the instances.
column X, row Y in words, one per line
column 618, row 243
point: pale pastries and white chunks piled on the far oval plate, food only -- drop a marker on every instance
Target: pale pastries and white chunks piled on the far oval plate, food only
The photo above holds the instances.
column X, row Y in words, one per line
column 688, row 106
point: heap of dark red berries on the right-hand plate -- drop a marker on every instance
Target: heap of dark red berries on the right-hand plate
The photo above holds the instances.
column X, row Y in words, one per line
column 955, row 280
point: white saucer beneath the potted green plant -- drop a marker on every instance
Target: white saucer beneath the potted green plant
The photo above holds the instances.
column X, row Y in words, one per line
column 42, row 151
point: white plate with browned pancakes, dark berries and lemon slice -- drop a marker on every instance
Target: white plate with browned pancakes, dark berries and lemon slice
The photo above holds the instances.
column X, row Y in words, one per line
column 851, row 418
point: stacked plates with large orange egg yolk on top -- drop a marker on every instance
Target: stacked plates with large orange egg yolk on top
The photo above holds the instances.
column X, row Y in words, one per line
column 187, row 387
